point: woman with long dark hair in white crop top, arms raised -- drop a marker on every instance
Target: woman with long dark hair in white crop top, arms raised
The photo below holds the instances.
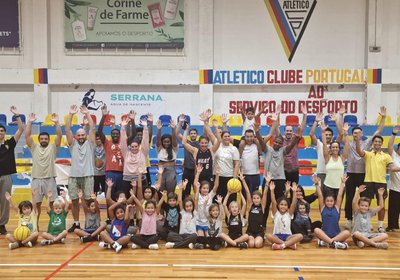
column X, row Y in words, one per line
column 167, row 150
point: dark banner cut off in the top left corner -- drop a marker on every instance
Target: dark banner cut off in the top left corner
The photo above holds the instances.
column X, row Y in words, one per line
column 9, row 24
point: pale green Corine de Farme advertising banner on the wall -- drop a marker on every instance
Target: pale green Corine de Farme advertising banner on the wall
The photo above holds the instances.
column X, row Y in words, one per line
column 137, row 24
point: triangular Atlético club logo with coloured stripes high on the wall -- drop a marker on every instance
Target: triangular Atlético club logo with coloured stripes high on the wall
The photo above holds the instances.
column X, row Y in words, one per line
column 290, row 18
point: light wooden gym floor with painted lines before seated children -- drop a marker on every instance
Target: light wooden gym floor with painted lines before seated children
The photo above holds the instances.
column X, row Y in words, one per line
column 75, row 260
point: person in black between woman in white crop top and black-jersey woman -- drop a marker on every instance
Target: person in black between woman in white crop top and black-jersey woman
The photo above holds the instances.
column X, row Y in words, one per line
column 189, row 165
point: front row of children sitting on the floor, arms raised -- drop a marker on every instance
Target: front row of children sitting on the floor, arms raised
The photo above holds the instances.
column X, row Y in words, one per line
column 198, row 223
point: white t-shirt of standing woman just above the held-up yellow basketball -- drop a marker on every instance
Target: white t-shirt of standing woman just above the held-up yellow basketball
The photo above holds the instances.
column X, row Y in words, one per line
column 224, row 158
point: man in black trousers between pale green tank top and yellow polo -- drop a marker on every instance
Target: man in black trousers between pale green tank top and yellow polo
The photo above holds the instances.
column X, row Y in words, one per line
column 356, row 165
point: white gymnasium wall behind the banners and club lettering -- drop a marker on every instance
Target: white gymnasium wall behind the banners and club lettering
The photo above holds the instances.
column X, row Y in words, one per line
column 222, row 35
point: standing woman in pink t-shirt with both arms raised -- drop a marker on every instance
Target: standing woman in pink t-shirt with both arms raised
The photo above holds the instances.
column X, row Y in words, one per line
column 135, row 156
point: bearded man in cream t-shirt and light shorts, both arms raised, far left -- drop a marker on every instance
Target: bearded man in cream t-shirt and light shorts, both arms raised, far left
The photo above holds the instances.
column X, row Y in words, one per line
column 43, row 161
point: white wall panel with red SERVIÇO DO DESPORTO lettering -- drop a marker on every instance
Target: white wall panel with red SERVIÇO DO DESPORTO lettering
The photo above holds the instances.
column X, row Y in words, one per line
column 317, row 99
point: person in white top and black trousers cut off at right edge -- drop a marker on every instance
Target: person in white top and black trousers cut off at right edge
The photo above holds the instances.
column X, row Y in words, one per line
column 394, row 185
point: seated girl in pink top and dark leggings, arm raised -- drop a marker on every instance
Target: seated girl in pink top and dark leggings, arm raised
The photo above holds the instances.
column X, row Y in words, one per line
column 148, row 233
